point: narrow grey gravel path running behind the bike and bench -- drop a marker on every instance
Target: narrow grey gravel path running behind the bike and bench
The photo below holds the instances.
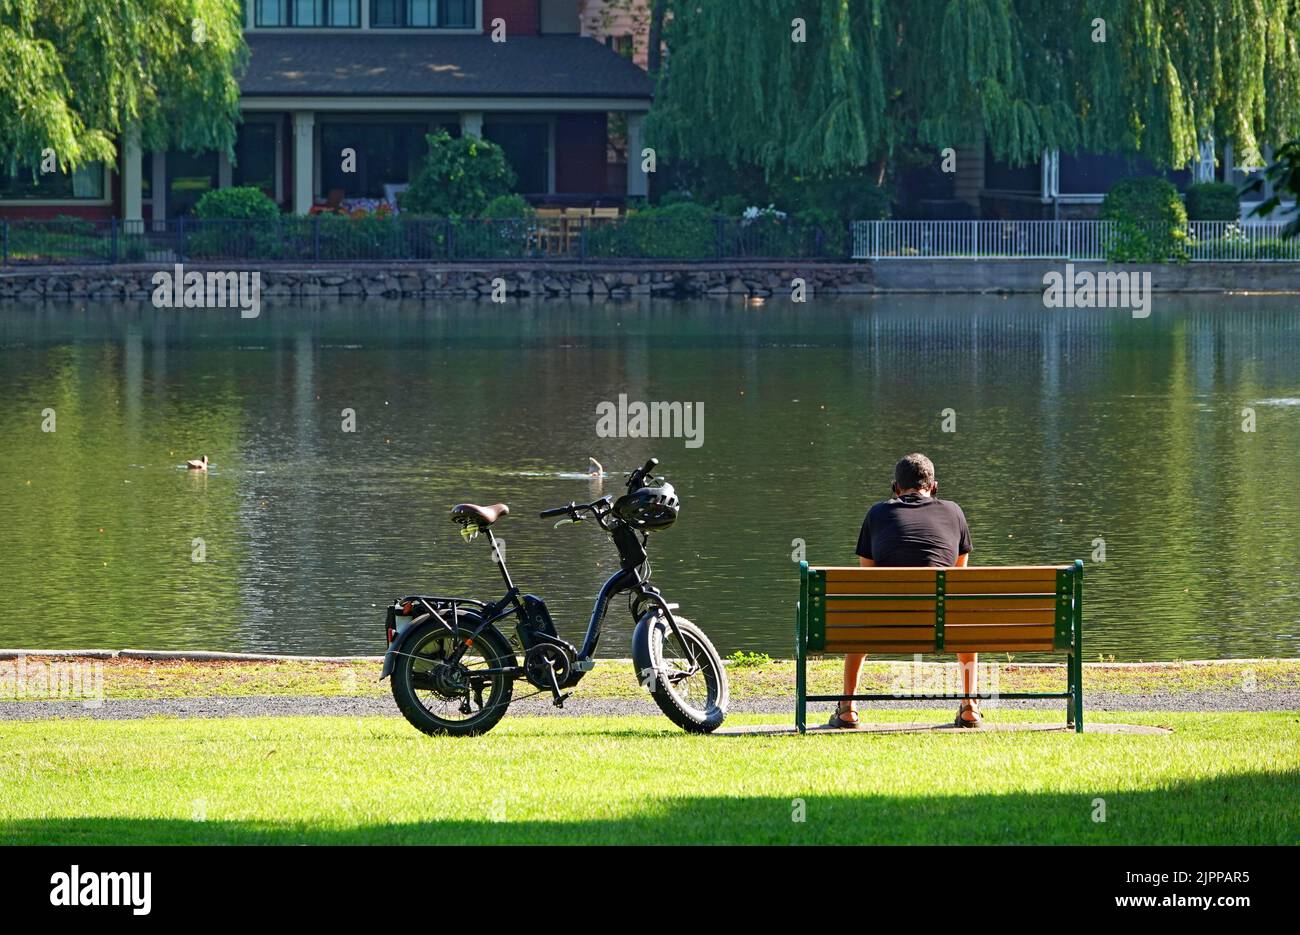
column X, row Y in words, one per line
column 579, row 707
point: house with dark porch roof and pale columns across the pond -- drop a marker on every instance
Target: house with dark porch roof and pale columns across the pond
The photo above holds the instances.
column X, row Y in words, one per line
column 340, row 96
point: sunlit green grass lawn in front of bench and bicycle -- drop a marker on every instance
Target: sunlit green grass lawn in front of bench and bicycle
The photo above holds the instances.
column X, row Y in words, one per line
column 1220, row 778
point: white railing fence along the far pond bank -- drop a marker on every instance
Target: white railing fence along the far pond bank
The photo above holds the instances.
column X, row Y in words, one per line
column 1225, row 241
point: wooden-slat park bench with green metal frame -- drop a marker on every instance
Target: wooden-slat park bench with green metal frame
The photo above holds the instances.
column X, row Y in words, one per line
column 1024, row 609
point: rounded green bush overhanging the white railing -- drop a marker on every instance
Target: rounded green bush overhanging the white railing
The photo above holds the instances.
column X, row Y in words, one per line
column 1151, row 222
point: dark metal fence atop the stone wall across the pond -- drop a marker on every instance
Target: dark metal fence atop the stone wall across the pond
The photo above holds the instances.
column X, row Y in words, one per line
column 333, row 239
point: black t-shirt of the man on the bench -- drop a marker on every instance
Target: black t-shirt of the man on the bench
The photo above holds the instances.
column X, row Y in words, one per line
column 915, row 531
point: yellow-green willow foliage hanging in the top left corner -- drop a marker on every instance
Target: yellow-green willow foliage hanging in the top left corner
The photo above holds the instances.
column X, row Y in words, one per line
column 76, row 76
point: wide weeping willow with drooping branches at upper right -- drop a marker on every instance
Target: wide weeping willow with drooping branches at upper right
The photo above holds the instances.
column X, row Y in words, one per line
column 825, row 86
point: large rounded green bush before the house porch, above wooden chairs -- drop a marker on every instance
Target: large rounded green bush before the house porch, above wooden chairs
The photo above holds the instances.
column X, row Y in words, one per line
column 458, row 178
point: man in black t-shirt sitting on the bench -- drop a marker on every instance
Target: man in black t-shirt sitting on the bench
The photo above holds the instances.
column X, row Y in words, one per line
column 915, row 529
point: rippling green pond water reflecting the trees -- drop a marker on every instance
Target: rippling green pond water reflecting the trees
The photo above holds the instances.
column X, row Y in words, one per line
column 1071, row 427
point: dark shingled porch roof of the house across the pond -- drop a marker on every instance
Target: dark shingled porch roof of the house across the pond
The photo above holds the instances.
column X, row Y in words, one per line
column 439, row 66
